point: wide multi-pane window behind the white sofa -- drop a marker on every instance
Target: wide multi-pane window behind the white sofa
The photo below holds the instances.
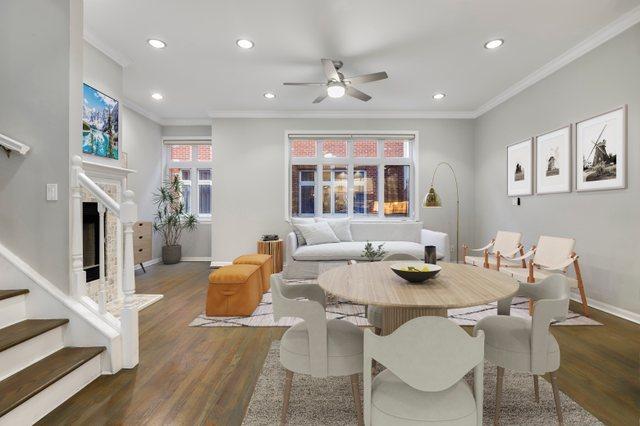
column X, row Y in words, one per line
column 351, row 175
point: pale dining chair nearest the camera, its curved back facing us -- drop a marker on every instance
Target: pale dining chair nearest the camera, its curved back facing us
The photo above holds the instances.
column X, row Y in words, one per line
column 426, row 360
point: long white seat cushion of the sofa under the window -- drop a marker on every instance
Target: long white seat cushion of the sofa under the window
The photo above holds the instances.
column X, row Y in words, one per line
column 353, row 250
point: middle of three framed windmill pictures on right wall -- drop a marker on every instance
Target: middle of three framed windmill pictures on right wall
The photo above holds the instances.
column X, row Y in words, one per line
column 553, row 161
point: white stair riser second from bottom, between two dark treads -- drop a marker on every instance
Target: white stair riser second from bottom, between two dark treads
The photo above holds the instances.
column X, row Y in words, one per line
column 33, row 350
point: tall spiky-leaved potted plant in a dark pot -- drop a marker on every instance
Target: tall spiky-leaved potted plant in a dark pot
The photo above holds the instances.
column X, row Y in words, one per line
column 171, row 219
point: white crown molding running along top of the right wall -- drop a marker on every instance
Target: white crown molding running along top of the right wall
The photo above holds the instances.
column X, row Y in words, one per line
column 605, row 34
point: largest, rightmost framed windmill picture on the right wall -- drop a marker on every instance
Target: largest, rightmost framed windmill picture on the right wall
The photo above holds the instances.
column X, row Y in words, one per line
column 601, row 151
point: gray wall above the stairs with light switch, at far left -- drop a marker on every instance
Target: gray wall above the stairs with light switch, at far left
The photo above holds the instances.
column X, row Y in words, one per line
column 41, row 53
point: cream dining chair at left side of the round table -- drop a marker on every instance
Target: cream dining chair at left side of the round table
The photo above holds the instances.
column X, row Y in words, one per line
column 316, row 346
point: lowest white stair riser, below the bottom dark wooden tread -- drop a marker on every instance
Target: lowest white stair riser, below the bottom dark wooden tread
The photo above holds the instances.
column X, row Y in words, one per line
column 46, row 401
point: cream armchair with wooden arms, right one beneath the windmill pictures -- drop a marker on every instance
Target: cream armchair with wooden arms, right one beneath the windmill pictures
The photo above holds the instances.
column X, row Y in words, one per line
column 551, row 255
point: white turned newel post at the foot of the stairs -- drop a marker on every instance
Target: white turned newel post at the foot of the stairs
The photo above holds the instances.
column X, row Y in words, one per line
column 129, row 317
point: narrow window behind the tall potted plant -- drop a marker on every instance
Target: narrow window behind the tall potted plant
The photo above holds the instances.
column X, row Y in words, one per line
column 192, row 163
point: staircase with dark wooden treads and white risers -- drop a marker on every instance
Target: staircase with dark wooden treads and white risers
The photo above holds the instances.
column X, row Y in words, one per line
column 37, row 371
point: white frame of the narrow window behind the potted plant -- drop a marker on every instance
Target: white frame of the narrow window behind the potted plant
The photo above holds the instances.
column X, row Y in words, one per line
column 194, row 165
